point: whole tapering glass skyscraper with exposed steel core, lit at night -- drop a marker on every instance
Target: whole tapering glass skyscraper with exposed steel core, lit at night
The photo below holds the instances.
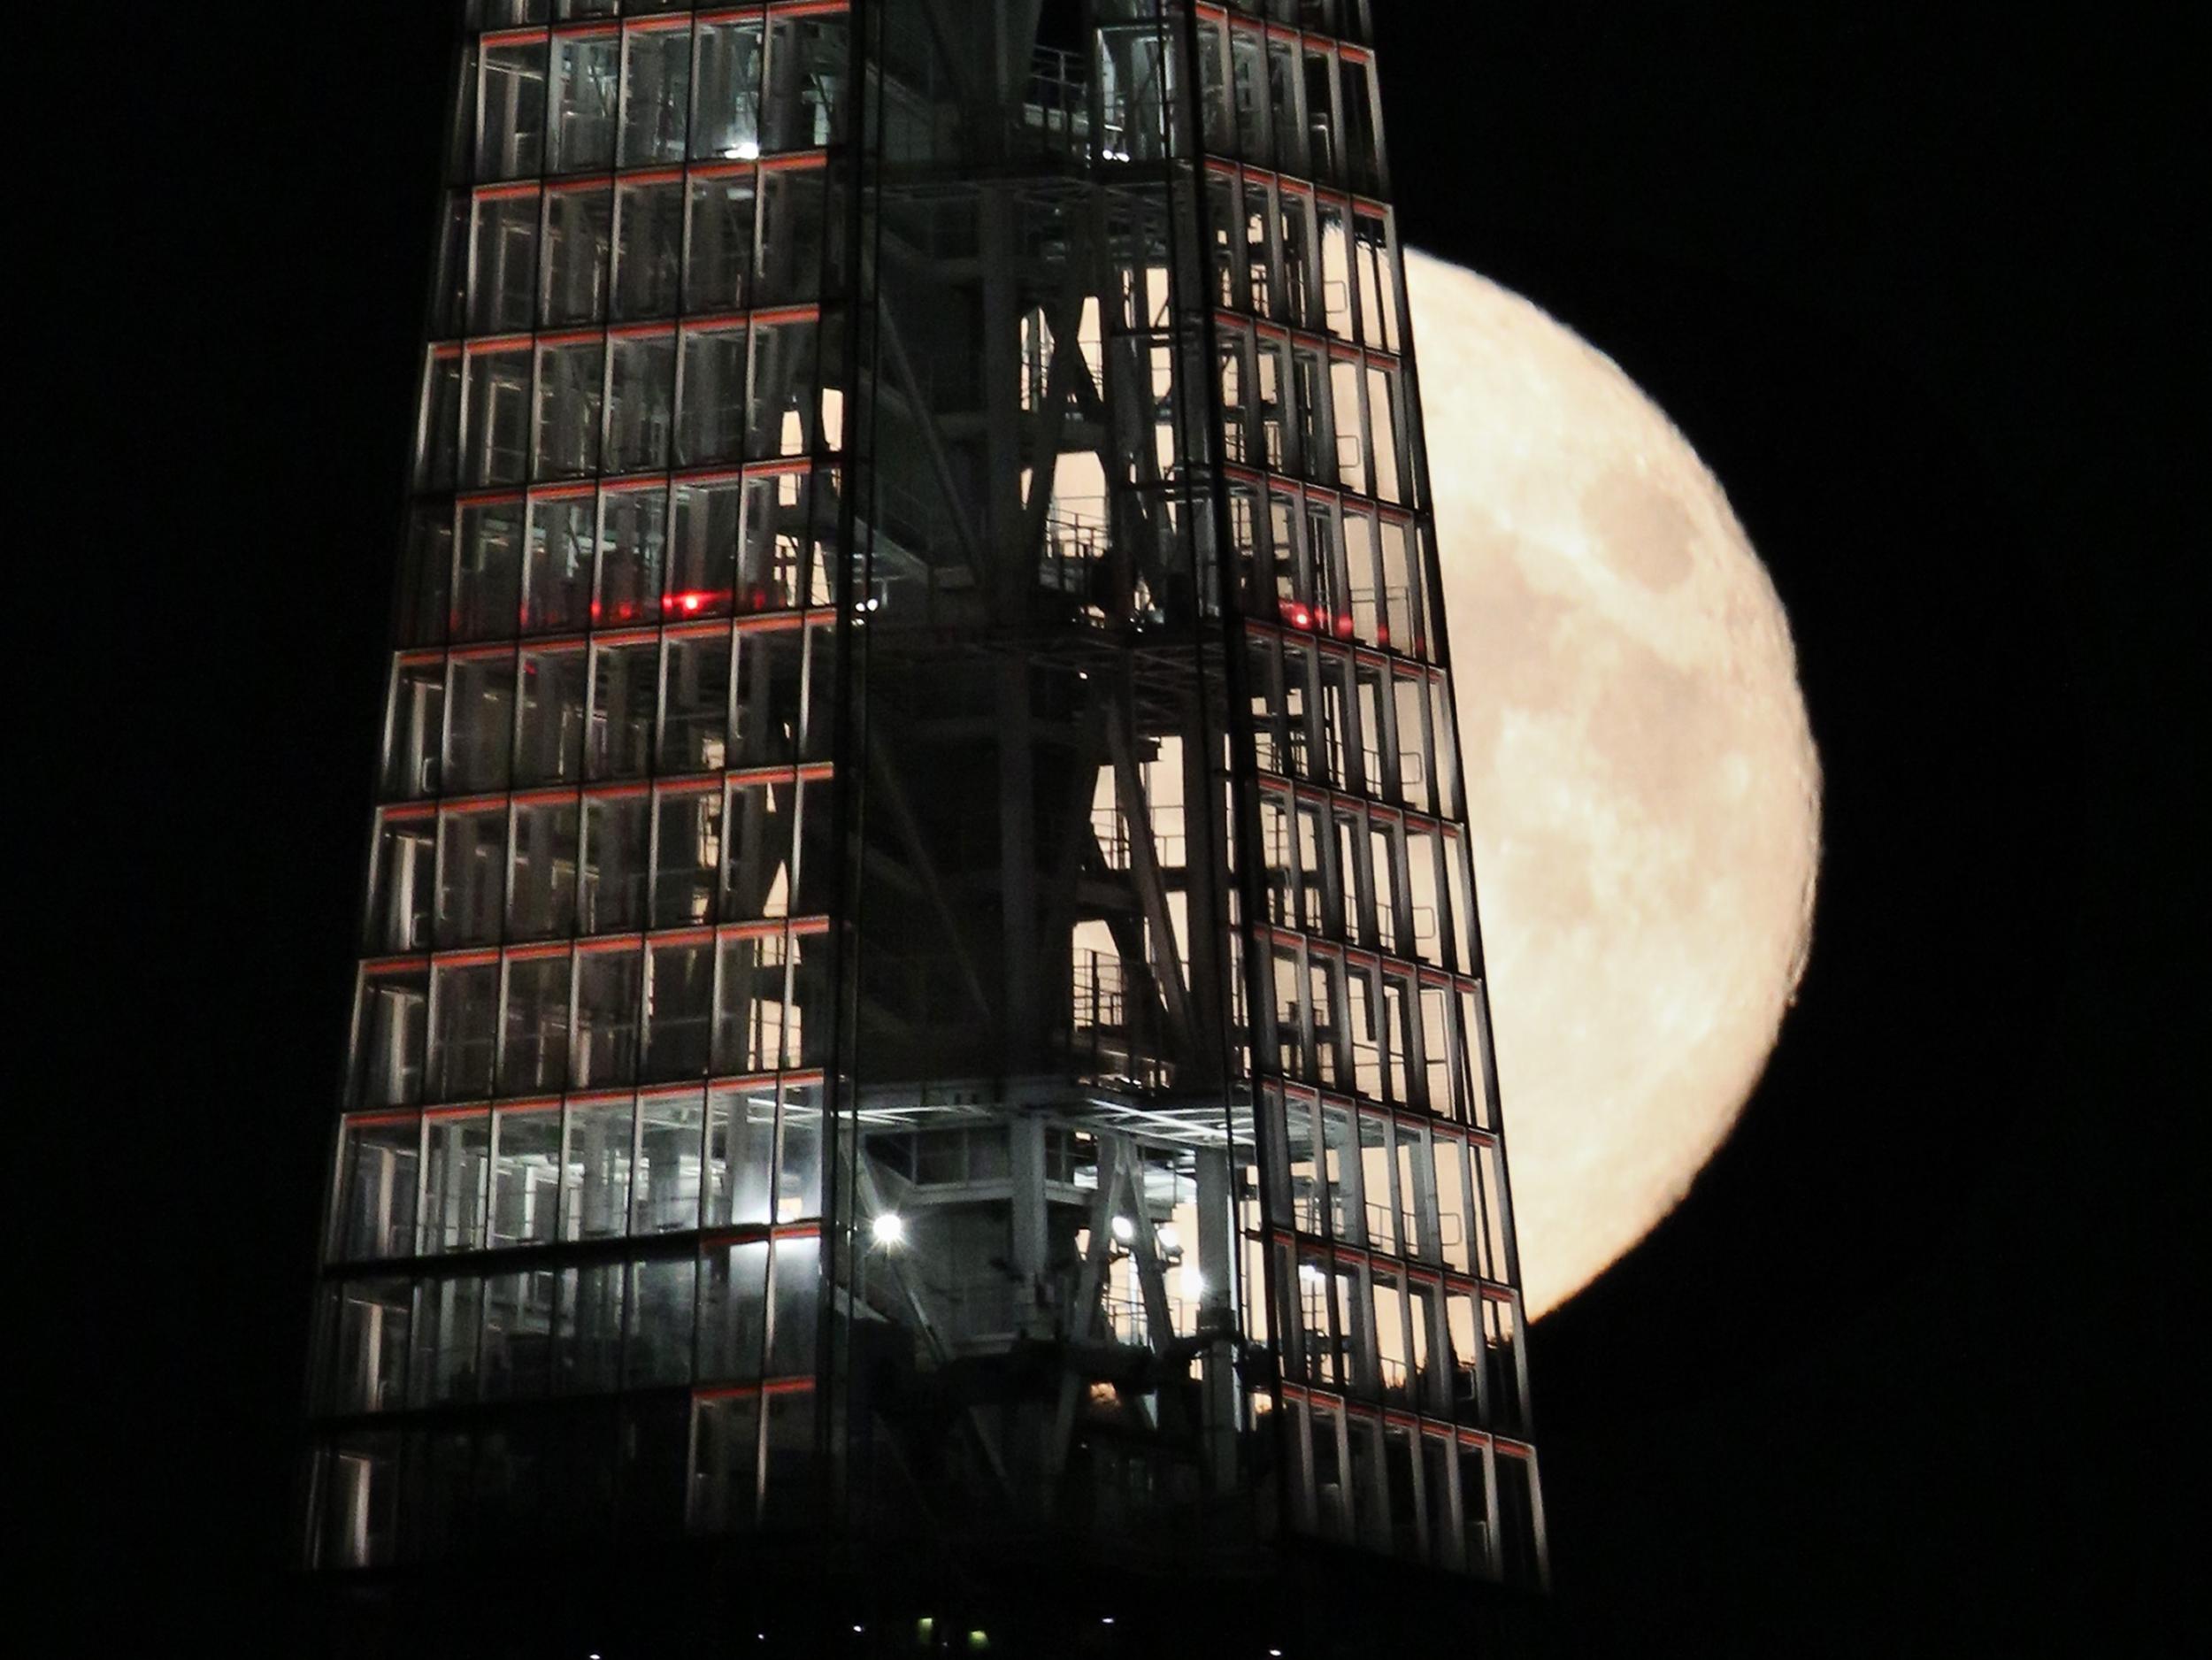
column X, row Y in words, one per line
column 919, row 964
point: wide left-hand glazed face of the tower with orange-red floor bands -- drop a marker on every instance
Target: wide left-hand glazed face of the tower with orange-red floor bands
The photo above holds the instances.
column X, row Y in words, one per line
column 581, row 1161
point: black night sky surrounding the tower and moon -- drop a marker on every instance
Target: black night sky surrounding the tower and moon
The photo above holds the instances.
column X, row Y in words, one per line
column 1897, row 1378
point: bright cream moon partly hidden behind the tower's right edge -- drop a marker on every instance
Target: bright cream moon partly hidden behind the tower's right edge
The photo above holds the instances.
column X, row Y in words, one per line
column 1642, row 787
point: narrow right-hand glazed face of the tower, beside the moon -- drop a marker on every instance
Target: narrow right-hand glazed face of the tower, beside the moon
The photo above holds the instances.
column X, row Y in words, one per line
column 1388, row 1223
